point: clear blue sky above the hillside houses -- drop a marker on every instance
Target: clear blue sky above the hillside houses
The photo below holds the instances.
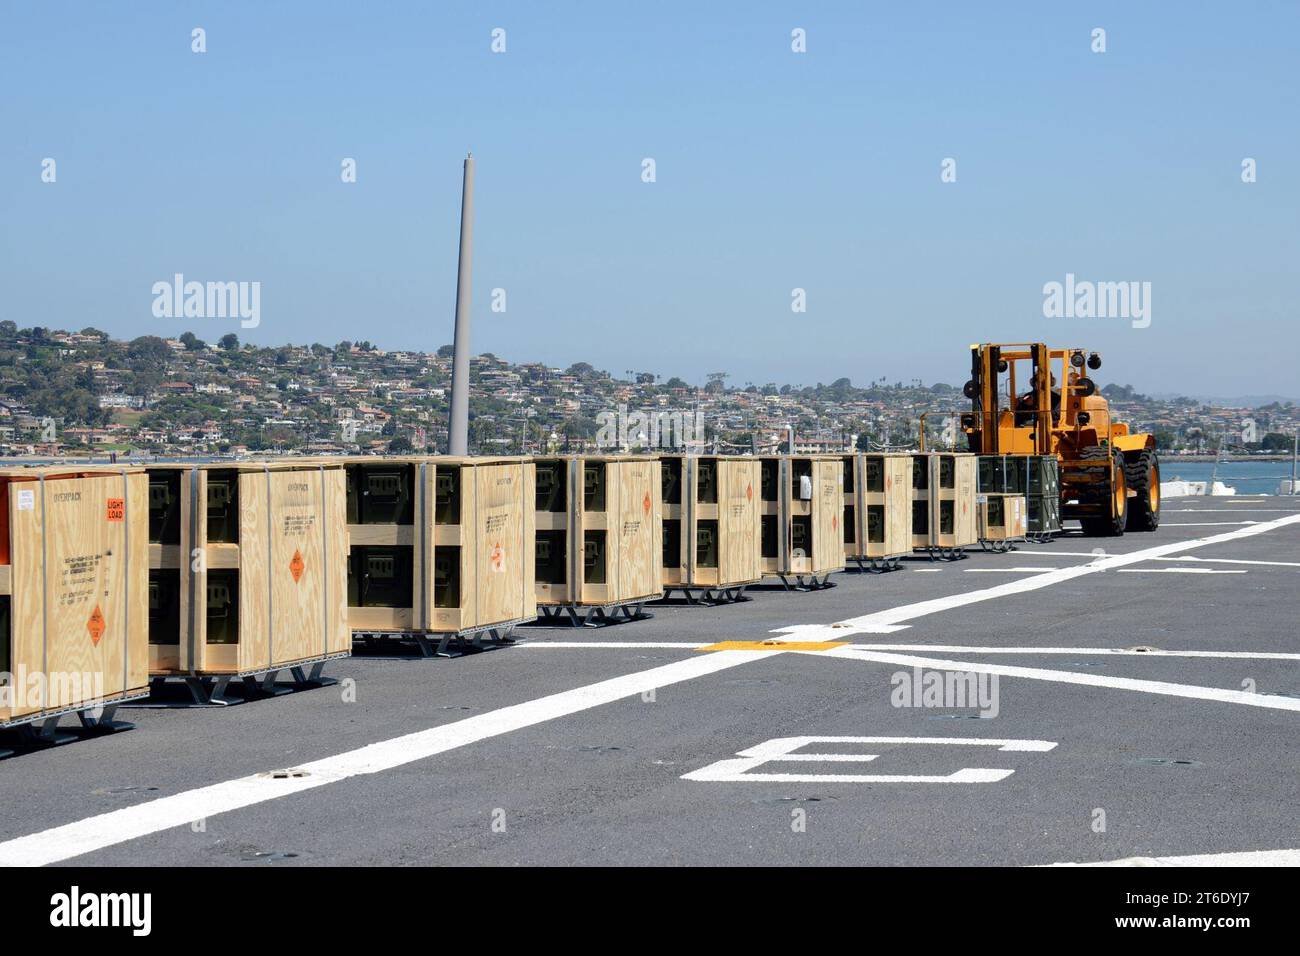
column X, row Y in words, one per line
column 775, row 171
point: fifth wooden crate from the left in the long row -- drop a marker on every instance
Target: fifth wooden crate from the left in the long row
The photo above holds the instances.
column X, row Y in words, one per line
column 710, row 522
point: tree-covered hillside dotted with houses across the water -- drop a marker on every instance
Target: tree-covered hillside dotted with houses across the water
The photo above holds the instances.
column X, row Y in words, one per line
column 77, row 393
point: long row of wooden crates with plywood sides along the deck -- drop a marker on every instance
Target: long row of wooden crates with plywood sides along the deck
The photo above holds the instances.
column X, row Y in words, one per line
column 249, row 568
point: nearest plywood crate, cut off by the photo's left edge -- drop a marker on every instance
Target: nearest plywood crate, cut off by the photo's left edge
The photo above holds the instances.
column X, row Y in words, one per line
column 73, row 590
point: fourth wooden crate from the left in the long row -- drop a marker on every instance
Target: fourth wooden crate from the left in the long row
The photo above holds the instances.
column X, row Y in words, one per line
column 600, row 531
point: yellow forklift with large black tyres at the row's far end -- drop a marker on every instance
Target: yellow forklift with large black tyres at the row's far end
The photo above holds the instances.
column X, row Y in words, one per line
column 1029, row 400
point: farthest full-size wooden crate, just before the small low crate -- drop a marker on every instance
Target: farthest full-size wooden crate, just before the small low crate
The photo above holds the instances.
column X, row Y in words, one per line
column 943, row 503
